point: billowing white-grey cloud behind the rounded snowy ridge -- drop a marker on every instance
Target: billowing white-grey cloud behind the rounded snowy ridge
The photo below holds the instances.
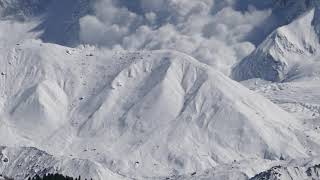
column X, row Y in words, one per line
column 213, row 31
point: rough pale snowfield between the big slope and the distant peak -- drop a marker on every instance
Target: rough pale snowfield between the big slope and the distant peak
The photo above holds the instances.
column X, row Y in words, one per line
column 302, row 98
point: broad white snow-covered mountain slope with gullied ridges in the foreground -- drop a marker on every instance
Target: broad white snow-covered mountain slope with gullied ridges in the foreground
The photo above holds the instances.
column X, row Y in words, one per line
column 139, row 114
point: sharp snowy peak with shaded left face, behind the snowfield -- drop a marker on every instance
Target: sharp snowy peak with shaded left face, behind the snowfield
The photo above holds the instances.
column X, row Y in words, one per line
column 287, row 49
